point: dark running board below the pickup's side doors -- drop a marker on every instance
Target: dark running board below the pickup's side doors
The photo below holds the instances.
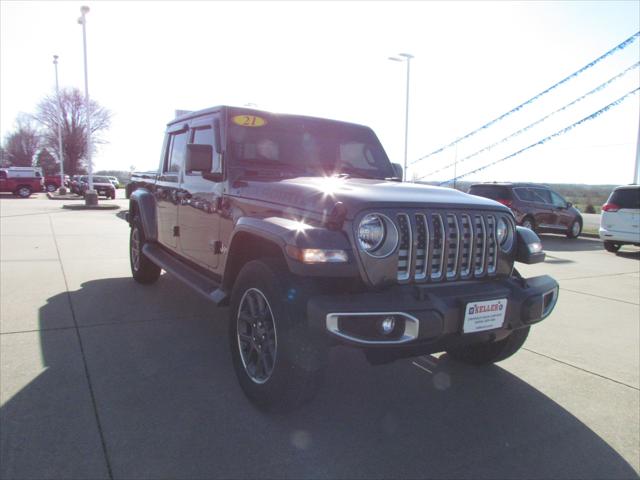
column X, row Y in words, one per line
column 205, row 286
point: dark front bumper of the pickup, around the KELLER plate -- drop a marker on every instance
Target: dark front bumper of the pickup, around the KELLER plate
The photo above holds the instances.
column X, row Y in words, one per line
column 432, row 316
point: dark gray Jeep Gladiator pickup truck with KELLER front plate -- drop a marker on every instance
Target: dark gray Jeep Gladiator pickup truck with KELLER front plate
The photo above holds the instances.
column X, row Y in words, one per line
column 304, row 228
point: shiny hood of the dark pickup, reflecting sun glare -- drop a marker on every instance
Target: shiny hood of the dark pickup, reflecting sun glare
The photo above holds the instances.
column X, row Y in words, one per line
column 318, row 194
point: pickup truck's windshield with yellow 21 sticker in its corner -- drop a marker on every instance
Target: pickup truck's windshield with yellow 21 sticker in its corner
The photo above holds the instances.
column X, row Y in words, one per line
column 303, row 146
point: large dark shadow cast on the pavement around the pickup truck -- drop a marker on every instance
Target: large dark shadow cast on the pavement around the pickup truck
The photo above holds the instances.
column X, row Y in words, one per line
column 160, row 382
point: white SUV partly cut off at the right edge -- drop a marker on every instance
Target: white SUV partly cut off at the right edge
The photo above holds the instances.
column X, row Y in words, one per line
column 620, row 220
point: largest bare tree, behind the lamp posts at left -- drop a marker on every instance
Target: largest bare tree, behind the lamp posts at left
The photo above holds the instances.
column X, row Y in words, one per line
column 74, row 126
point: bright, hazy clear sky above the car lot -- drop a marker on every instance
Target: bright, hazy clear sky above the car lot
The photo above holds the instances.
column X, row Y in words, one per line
column 473, row 61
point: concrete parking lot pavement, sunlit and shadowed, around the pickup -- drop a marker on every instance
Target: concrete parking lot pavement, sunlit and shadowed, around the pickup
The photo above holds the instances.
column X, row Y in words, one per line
column 103, row 378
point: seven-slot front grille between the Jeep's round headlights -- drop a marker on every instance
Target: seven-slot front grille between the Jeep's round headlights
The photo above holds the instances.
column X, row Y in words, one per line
column 439, row 246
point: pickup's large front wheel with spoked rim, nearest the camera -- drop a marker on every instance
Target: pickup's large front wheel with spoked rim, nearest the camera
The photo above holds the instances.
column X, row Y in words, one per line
column 278, row 362
